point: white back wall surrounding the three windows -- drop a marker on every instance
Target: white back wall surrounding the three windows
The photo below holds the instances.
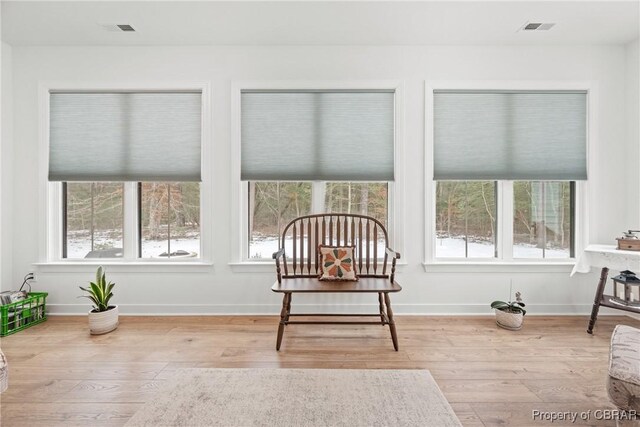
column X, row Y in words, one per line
column 221, row 290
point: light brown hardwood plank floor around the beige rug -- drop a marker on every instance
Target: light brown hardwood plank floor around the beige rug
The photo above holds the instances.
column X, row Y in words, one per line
column 60, row 375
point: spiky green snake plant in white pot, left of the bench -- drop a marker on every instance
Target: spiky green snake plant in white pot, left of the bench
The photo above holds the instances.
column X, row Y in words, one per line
column 104, row 317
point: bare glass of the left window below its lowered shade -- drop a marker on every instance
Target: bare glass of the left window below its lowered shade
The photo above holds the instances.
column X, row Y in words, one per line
column 168, row 225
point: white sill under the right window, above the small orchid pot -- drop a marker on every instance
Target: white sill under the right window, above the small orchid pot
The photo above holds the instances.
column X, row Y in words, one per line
column 564, row 266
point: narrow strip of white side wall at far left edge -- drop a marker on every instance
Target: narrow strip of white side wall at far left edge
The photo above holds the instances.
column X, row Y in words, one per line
column 6, row 170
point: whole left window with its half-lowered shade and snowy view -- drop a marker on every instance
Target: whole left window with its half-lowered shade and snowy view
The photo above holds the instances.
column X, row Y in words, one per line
column 127, row 168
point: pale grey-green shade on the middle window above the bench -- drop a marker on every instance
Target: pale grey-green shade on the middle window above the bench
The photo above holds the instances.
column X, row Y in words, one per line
column 317, row 135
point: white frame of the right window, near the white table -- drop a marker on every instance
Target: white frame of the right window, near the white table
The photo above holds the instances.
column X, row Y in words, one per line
column 504, row 189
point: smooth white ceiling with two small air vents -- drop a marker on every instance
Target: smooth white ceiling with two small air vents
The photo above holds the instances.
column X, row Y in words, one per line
column 318, row 22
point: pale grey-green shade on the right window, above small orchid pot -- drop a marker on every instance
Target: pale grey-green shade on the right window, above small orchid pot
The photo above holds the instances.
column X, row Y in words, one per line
column 510, row 135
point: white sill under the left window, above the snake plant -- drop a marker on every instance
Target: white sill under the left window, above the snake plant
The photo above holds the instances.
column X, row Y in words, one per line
column 123, row 267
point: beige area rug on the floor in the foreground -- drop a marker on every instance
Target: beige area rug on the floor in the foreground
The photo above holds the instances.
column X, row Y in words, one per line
column 298, row 397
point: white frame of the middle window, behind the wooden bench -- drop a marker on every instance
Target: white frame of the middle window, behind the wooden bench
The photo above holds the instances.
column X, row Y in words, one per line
column 239, row 192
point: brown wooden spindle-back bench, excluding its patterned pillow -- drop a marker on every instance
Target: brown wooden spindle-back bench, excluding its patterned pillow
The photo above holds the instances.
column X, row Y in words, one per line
column 298, row 266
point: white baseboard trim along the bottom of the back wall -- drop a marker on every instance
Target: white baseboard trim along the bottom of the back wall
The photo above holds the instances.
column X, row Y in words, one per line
column 274, row 309
